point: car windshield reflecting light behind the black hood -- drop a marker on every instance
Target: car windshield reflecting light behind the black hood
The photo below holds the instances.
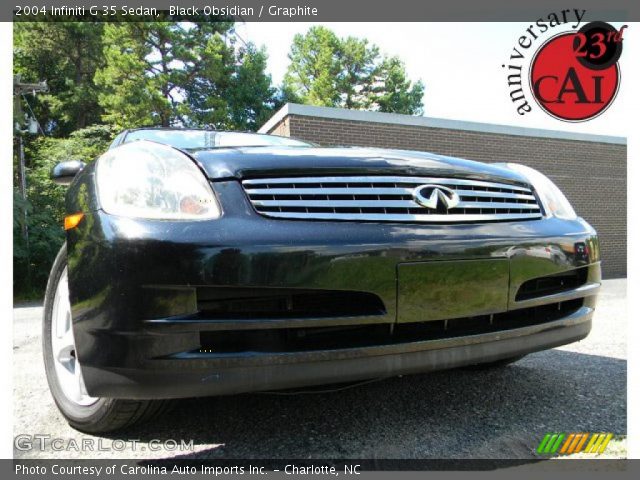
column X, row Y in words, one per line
column 188, row 139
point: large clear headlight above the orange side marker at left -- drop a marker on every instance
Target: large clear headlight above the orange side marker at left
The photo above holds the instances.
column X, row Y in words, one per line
column 145, row 179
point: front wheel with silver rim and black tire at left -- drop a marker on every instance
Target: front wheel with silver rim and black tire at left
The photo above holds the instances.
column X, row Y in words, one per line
column 64, row 375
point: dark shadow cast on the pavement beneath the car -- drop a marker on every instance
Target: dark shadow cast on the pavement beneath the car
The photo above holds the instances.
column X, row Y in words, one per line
column 497, row 413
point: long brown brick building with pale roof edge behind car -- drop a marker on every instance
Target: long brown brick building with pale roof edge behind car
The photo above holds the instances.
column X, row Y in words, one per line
column 590, row 169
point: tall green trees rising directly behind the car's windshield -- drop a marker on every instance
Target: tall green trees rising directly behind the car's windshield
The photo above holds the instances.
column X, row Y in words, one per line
column 188, row 74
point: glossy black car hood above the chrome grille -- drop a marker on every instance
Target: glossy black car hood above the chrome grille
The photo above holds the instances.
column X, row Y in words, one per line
column 257, row 162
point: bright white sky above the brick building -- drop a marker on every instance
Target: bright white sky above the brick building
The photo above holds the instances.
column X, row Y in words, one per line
column 459, row 63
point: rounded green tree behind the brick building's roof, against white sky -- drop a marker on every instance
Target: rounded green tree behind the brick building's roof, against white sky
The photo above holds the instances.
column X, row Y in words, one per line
column 350, row 73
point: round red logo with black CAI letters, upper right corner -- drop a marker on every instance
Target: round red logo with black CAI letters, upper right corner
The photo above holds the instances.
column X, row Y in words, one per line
column 575, row 76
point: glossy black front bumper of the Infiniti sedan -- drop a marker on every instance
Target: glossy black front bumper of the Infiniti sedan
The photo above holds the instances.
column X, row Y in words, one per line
column 137, row 290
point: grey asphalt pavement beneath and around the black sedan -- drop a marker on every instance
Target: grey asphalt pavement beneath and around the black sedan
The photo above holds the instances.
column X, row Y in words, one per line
column 501, row 413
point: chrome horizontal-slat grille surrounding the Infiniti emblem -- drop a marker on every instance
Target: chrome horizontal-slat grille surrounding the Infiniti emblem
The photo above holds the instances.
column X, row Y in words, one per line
column 388, row 199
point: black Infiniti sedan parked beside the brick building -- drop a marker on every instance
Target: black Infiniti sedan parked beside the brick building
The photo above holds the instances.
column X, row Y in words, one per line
column 206, row 263
